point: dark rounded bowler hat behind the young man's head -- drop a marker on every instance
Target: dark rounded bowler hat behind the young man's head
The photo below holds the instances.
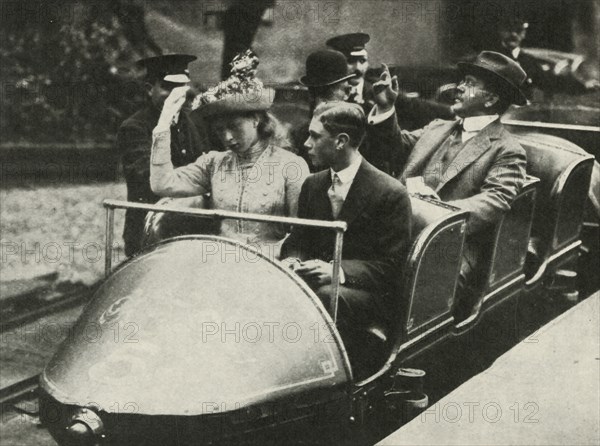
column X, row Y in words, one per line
column 325, row 67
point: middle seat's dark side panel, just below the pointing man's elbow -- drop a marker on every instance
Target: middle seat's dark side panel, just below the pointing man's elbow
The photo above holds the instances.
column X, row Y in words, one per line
column 509, row 242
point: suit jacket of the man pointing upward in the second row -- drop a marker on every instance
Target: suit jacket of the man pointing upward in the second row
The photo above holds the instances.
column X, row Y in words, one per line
column 484, row 178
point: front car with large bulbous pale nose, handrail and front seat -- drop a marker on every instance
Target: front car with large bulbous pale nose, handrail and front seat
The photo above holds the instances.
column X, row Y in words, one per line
column 201, row 339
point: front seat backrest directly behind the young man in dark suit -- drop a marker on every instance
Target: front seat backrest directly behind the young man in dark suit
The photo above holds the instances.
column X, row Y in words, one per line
column 432, row 266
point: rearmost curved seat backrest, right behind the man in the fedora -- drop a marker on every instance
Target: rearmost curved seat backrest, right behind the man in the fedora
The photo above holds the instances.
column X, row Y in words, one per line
column 564, row 170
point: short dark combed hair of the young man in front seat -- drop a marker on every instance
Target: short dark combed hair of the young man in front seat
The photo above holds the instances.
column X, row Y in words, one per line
column 343, row 117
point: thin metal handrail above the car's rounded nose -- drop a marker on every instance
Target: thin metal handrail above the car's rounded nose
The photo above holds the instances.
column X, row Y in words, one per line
column 338, row 226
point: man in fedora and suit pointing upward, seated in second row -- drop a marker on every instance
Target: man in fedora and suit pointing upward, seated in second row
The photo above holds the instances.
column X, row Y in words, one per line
column 471, row 162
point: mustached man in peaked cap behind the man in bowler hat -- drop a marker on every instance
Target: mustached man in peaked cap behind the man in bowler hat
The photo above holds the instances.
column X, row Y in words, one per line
column 353, row 47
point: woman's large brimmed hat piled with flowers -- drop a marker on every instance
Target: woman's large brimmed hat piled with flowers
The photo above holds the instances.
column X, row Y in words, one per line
column 241, row 92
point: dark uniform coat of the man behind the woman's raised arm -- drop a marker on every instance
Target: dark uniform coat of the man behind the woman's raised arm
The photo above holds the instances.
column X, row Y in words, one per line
column 134, row 141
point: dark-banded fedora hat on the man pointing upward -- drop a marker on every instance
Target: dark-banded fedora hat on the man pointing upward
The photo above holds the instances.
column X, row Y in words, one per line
column 504, row 74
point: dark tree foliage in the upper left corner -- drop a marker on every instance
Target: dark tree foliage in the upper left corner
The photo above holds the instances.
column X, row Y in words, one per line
column 68, row 74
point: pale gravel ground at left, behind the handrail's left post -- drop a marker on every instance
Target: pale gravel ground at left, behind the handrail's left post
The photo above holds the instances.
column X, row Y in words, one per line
column 58, row 228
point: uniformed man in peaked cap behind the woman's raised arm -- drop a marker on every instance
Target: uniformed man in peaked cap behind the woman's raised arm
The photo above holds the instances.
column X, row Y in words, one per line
column 134, row 139
